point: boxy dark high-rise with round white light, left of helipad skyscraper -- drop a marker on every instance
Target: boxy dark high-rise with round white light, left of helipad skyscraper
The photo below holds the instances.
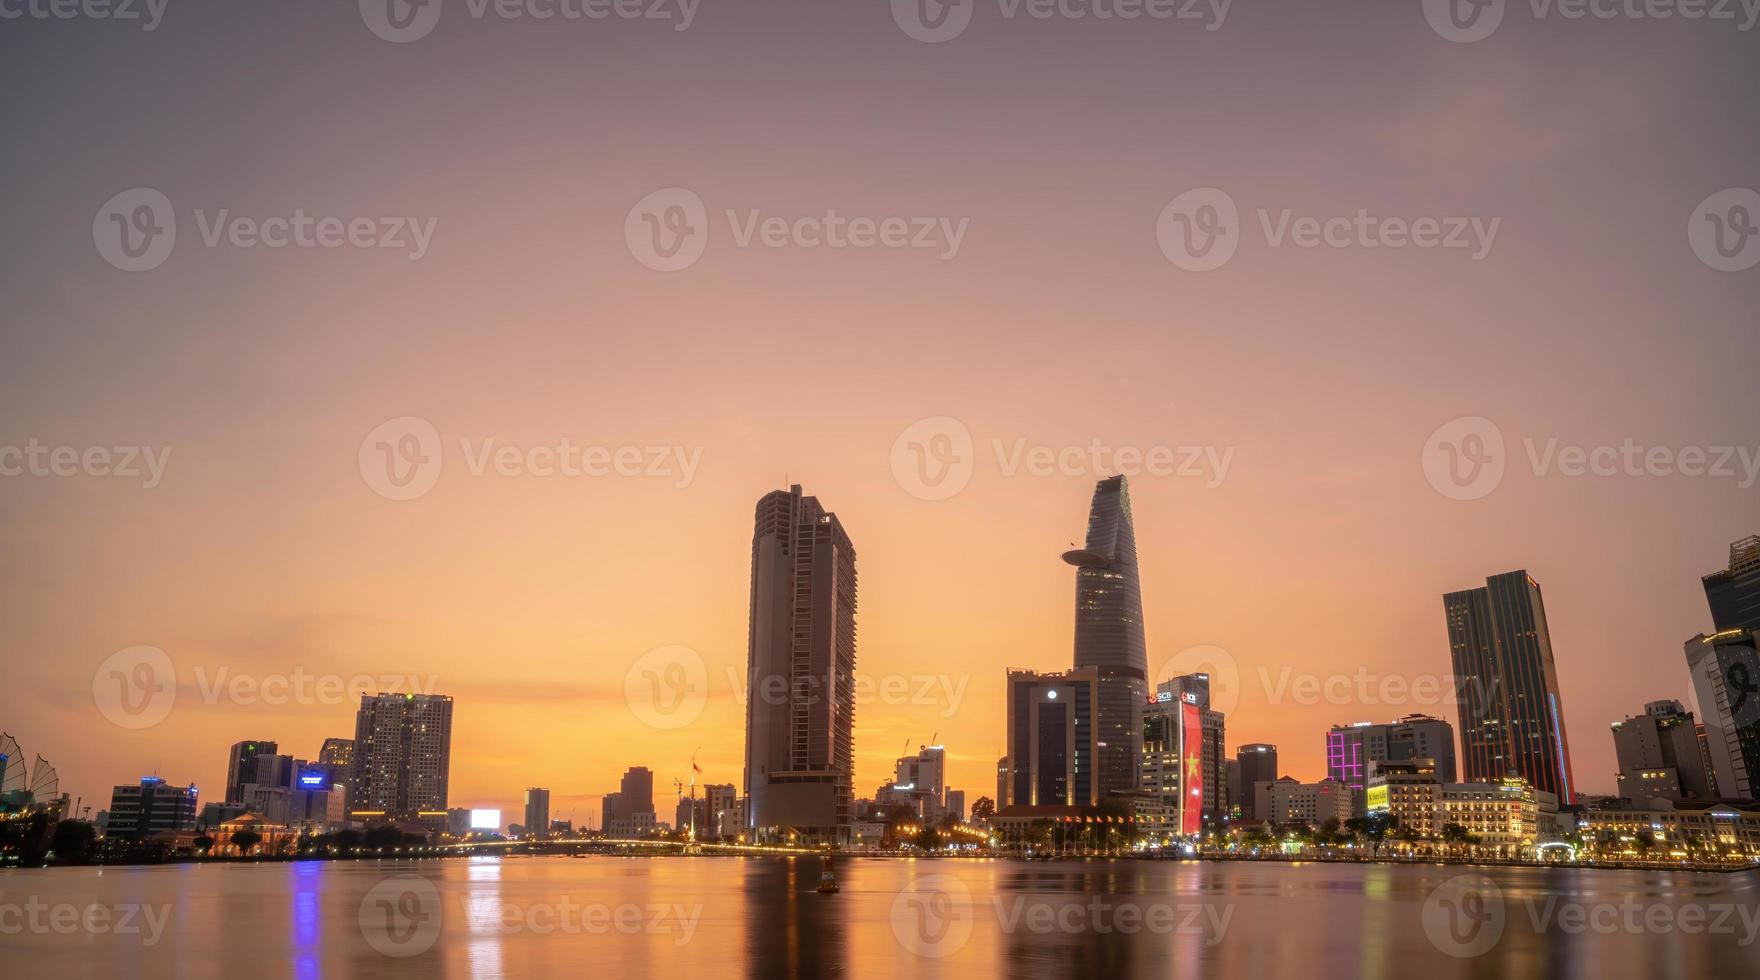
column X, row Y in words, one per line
column 1053, row 742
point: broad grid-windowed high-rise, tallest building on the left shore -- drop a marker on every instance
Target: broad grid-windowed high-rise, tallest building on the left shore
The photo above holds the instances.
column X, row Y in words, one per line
column 402, row 759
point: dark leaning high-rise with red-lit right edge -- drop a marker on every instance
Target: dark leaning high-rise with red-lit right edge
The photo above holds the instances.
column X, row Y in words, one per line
column 1513, row 717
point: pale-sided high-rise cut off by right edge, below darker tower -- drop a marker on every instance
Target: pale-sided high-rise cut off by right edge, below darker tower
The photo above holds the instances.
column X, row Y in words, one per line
column 1726, row 671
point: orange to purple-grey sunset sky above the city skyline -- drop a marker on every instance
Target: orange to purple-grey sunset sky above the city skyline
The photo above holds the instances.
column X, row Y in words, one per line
column 513, row 193
